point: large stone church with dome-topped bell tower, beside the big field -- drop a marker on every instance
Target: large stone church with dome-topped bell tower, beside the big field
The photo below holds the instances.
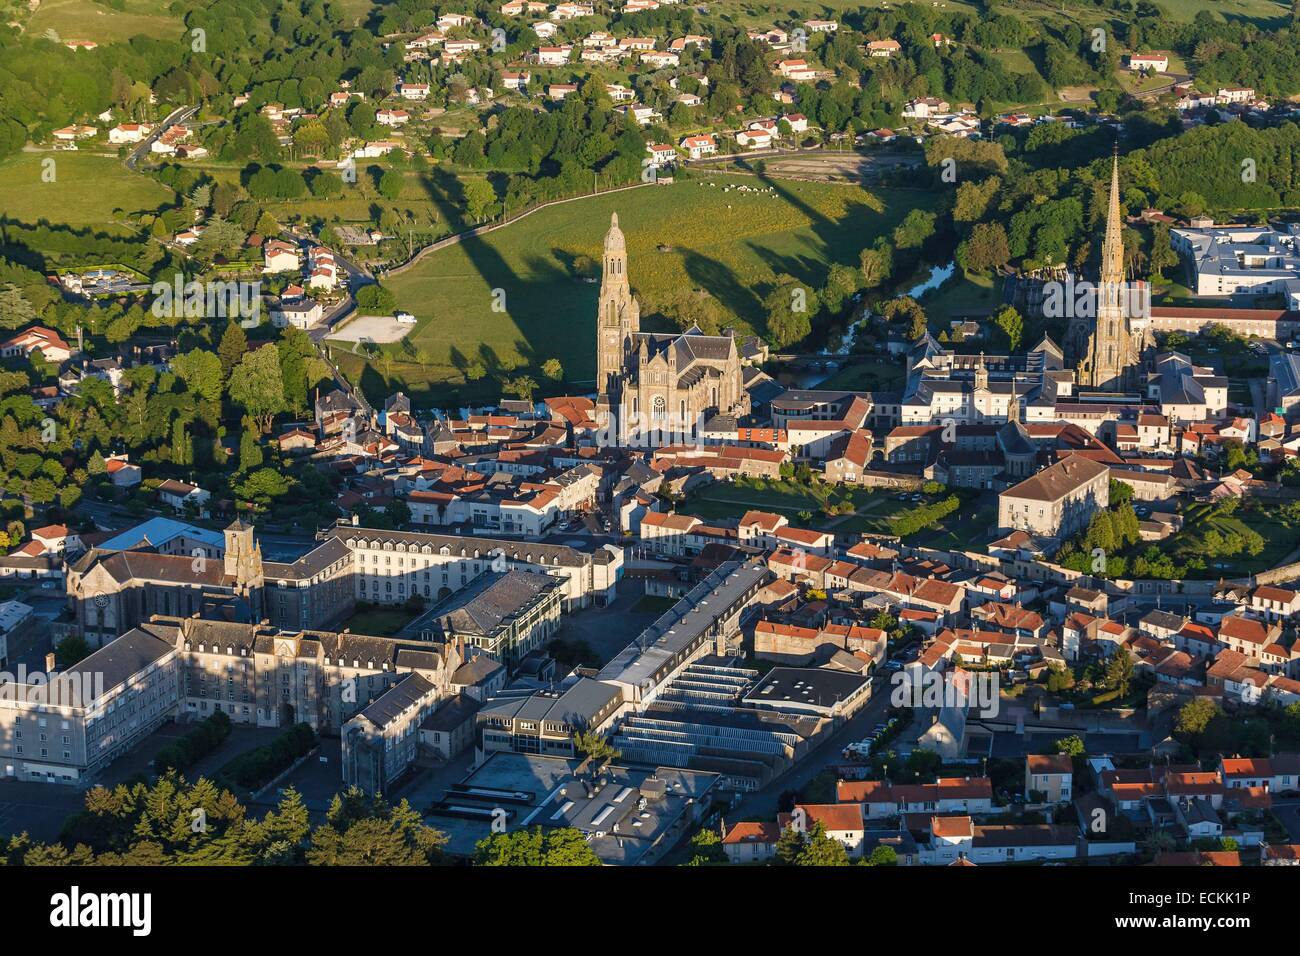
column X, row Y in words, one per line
column 657, row 386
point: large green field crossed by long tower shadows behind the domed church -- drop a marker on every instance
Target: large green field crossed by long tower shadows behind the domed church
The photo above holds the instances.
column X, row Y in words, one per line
column 687, row 236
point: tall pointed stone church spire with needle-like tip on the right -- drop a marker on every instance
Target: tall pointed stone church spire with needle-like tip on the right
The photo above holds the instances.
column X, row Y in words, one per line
column 1108, row 344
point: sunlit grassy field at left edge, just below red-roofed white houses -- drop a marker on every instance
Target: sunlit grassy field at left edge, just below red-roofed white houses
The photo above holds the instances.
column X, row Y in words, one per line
column 85, row 193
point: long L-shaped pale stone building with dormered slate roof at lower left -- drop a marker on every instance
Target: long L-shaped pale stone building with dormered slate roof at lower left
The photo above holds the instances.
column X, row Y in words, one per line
column 257, row 674
